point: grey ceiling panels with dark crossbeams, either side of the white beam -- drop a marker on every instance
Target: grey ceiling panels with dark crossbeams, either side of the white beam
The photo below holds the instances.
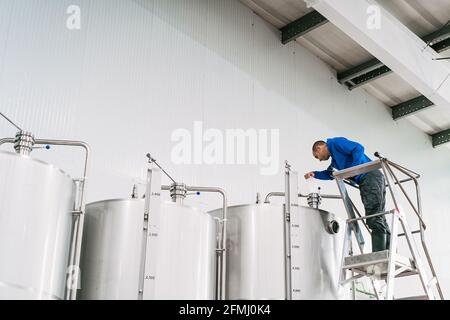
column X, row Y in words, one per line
column 356, row 67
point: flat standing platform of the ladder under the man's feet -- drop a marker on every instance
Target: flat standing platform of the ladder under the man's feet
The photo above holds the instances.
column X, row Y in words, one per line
column 377, row 262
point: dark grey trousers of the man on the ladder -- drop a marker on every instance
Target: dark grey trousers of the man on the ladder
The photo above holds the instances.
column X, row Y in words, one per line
column 372, row 188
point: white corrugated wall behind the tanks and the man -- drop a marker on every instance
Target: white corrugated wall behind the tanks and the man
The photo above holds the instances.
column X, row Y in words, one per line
column 138, row 70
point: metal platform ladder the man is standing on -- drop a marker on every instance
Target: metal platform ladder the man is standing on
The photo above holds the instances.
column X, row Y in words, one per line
column 386, row 265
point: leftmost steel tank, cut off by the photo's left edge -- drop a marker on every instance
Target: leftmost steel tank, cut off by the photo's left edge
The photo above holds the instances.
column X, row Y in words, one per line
column 36, row 203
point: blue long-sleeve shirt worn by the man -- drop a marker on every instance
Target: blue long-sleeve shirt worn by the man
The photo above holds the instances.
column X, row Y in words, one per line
column 344, row 154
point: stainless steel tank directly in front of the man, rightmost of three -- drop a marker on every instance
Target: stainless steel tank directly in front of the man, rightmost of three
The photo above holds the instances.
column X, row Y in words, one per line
column 256, row 254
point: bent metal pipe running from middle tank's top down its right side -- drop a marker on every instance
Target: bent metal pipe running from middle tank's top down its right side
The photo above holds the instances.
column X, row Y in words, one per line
column 222, row 249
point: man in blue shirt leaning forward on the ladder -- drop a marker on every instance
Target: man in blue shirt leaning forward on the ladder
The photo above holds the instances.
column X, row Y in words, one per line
column 346, row 154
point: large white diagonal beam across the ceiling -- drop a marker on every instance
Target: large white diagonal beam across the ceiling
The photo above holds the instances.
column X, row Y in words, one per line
column 393, row 44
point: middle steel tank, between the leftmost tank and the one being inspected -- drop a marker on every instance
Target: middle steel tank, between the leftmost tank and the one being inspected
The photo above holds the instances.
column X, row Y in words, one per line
column 112, row 251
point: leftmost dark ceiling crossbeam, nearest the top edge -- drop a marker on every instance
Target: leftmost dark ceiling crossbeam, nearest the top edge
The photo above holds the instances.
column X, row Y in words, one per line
column 302, row 26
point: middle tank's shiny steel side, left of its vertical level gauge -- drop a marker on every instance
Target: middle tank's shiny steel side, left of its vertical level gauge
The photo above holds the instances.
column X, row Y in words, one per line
column 110, row 258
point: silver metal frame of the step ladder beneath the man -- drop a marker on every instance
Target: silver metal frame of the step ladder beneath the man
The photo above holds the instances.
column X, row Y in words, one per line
column 390, row 266
